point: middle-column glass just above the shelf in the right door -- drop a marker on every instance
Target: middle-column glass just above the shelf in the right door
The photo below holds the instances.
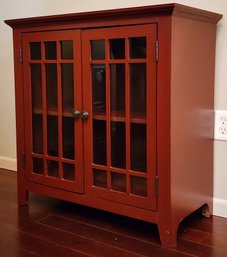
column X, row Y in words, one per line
column 117, row 84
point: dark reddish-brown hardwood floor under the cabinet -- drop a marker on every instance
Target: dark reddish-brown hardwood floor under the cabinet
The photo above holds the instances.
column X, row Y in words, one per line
column 53, row 228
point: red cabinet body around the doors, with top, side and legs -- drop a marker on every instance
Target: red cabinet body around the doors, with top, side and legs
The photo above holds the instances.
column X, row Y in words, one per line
column 185, row 58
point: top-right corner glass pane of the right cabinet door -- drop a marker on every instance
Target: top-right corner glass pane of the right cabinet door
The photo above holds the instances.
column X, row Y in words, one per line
column 137, row 47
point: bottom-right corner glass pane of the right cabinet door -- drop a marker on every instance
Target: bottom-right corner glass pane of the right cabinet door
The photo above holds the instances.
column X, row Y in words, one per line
column 138, row 186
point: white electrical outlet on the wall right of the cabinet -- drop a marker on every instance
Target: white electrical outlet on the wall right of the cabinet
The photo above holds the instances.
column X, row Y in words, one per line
column 220, row 125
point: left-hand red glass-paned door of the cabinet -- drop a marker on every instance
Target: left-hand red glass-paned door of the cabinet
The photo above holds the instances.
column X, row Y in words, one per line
column 52, row 97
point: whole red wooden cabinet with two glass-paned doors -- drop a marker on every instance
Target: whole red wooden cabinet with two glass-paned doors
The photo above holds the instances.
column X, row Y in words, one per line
column 115, row 110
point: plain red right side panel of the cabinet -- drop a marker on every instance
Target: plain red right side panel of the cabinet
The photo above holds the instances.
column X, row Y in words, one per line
column 192, row 100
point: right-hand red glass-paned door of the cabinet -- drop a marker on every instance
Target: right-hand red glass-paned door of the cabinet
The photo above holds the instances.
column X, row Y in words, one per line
column 119, row 79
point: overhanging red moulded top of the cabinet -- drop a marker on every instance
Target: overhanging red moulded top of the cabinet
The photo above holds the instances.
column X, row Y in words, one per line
column 125, row 13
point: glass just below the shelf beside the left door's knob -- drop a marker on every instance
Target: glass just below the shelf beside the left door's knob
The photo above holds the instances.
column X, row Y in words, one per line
column 68, row 137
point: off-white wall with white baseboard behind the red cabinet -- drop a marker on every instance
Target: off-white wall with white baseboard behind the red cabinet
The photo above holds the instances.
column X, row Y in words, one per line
column 11, row 9
